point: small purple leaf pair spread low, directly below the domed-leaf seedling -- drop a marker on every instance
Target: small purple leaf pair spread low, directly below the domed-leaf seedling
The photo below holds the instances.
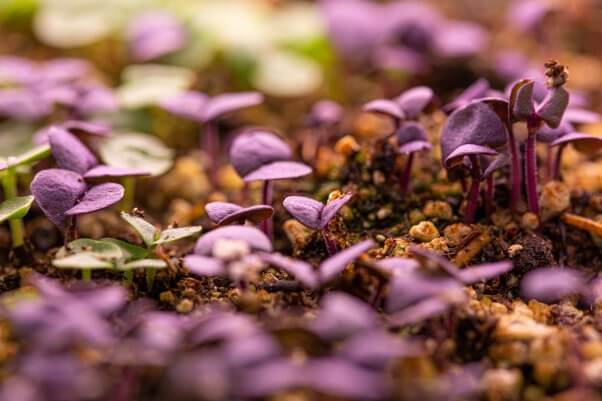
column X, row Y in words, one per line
column 223, row 213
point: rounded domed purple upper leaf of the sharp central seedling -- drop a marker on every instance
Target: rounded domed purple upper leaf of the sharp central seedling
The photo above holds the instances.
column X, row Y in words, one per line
column 255, row 148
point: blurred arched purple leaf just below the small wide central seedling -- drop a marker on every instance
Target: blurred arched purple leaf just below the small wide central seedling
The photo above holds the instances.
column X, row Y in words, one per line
column 254, row 237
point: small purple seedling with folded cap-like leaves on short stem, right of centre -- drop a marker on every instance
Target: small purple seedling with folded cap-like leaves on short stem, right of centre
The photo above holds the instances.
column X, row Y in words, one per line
column 411, row 138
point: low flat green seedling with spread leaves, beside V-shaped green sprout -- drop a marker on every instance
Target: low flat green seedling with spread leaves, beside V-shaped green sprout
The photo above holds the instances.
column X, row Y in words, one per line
column 108, row 253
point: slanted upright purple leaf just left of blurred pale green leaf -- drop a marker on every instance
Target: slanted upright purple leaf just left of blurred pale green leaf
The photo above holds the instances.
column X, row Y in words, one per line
column 69, row 152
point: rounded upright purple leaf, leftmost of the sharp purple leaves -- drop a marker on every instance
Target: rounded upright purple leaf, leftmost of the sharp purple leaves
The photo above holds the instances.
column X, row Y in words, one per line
column 56, row 191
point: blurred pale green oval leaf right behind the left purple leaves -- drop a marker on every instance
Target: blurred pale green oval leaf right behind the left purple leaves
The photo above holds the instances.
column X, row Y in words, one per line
column 136, row 150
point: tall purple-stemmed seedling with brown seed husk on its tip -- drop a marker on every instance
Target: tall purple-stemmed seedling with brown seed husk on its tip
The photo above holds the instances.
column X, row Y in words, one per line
column 549, row 111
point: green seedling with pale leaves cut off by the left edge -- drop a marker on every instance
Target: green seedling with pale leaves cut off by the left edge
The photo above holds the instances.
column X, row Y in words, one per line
column 15, row 207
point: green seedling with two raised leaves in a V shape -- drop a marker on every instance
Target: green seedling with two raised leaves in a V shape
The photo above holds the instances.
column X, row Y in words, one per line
column 154, row 238
